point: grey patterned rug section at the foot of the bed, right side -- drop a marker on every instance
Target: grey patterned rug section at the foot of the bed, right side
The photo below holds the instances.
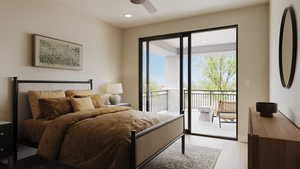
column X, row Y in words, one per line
column 195, row 157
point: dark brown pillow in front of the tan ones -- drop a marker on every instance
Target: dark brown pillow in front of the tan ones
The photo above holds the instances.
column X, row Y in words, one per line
column 54, row 107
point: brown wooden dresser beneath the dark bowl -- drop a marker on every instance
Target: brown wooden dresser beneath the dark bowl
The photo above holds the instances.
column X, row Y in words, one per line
column 273, row 143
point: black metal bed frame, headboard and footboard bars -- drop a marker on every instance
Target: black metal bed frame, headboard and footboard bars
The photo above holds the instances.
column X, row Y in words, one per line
column 134, row 134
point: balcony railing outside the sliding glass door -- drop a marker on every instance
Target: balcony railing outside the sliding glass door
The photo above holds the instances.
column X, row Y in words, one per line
column 159, row 99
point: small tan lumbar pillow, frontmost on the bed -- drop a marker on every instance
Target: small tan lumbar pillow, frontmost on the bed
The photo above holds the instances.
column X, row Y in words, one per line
column 80, row 104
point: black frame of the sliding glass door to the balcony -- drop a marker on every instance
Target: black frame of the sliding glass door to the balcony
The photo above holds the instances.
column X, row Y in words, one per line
column 182, row 35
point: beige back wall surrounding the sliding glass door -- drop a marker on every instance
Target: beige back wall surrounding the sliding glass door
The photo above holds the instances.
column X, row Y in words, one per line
column 253, row 53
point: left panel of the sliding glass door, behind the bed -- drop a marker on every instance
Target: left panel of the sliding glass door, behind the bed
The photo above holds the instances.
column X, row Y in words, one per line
column 161, row 62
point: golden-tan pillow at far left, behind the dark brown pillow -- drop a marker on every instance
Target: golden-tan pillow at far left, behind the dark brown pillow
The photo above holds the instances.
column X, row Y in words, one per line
column 34, row 97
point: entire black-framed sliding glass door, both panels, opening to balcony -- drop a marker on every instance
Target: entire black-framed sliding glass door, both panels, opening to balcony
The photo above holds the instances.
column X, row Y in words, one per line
column 195, row 74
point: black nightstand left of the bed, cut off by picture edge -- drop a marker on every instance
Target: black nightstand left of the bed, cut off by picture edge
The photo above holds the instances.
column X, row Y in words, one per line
column 6, row 140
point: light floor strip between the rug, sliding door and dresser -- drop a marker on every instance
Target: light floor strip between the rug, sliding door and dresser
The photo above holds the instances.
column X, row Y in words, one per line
column 233, row 155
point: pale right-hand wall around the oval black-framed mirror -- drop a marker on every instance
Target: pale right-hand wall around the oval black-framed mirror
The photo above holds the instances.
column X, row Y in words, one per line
column 287, row 99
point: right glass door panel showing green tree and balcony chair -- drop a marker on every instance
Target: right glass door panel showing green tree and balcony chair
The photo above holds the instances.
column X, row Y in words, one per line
column 213, row 88
